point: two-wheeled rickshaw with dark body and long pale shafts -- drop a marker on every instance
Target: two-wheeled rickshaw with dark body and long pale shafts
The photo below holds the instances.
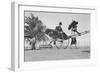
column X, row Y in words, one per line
column 56, row 39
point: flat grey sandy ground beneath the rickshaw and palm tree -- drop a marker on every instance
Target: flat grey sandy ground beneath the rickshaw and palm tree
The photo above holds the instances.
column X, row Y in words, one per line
column 57, row 54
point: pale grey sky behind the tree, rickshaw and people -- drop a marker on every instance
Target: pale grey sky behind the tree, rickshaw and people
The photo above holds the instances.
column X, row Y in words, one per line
column 52, row 19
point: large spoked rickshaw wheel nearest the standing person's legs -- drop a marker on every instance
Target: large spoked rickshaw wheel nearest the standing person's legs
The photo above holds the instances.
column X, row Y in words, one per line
column 62, row 44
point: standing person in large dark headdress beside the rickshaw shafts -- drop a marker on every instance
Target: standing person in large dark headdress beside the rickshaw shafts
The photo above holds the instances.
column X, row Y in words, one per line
column 73, row 28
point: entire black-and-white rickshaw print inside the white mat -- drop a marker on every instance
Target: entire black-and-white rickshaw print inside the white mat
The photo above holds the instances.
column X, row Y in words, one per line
column 56, row 36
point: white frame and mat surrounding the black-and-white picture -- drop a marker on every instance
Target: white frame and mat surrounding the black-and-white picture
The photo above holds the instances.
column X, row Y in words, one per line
column 18, row 59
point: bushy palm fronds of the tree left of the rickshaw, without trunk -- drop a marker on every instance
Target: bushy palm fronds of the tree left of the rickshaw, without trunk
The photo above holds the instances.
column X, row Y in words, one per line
column 34, row 28
